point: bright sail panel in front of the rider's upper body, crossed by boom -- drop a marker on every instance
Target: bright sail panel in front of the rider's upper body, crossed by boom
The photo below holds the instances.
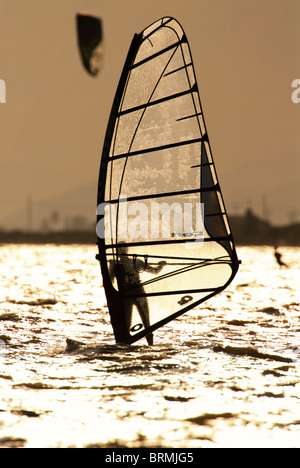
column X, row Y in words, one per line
column 182, row 271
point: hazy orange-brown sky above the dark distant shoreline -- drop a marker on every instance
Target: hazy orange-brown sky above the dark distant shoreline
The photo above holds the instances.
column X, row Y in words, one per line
column 246, row 55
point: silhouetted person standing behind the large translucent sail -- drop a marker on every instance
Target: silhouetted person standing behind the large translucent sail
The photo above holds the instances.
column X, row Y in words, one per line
column 127, row 271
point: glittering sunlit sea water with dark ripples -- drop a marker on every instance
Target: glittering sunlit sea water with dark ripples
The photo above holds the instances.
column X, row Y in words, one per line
column 225, row 374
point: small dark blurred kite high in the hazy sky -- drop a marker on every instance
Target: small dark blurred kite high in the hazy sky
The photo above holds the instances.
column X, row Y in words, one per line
column 90, row 42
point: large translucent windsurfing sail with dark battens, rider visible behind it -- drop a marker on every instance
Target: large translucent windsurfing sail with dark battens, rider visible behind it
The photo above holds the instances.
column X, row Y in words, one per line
column 164, row 239
